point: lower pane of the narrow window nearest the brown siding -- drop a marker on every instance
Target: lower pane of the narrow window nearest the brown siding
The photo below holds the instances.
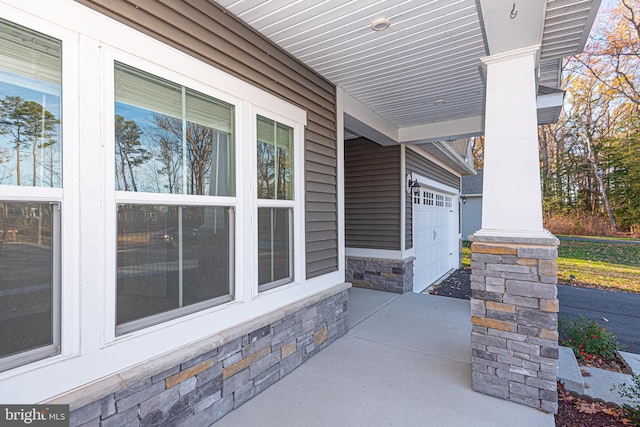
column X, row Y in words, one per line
column 274, row 246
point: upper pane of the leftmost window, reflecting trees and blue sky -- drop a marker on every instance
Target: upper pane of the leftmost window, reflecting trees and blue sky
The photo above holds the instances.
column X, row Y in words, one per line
column 30, row 108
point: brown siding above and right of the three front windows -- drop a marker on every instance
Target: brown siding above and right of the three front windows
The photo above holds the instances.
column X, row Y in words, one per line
column 205, row 31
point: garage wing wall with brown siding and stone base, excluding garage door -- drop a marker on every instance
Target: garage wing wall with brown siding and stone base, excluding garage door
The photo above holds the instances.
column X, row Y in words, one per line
column 374, row 195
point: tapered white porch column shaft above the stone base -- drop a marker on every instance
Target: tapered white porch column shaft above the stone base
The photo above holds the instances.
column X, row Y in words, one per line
column 511, row 199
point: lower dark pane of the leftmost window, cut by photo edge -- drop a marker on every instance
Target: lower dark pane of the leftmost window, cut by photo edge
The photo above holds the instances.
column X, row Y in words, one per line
column 26, row 281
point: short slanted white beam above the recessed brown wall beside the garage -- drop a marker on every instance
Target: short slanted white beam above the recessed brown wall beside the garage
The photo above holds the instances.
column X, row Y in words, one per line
column 364, row 121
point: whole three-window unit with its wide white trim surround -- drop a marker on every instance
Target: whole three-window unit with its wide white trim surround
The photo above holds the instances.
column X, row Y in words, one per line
column 146, row 197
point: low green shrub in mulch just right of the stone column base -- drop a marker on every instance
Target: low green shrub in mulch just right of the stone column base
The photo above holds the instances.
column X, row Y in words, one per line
column 588, row 339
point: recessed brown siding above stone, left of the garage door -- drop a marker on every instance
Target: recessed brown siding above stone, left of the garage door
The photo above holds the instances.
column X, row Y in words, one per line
column 372, row 195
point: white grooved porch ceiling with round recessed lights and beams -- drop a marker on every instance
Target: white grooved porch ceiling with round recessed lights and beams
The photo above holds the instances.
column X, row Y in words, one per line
column 431, row 51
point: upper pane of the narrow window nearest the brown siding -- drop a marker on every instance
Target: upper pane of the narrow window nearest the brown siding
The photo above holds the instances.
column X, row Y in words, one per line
column 275, row 160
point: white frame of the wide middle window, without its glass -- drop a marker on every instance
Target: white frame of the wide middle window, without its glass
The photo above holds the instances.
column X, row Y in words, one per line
column 113, row 197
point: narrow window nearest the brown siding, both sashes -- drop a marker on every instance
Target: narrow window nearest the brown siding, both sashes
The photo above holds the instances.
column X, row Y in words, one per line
column 275, row 174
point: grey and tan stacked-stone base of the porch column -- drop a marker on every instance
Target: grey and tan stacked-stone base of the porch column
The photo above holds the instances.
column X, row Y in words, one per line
column 514, row 311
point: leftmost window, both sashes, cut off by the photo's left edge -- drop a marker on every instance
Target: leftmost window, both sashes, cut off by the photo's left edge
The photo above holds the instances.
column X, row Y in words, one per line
column 30, row 156
